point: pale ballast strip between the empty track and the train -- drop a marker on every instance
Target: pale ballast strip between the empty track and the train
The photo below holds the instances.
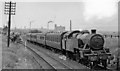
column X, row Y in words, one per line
column 70, row 63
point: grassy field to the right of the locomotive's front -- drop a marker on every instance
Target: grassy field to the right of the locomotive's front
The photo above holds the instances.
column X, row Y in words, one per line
column 113, row 44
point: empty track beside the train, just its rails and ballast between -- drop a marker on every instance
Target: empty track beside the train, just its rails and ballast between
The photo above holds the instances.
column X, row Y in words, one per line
column 52, row 62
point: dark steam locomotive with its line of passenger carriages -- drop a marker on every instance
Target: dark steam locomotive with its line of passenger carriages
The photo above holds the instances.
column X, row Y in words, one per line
column 81, row 46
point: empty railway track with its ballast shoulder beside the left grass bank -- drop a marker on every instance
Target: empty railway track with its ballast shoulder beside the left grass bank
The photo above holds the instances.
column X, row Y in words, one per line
column 48, row 62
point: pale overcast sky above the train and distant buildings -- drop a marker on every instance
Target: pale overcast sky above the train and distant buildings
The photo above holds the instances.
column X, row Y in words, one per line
column 86, row 14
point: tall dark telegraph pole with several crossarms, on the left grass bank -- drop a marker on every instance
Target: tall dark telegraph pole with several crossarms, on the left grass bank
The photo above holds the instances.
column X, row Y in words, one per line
column 9, row 10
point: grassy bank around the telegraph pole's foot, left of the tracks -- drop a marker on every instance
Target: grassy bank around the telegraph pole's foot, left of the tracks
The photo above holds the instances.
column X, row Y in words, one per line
column 13, row 57
